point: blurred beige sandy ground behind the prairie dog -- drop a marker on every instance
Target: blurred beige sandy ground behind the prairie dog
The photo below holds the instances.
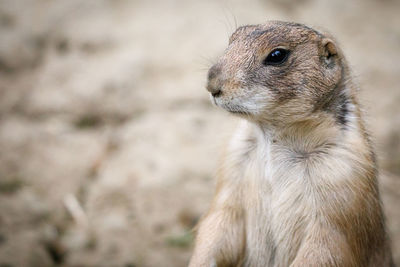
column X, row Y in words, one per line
column 108, row 141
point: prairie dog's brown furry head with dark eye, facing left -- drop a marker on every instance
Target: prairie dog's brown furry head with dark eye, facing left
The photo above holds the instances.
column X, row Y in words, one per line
column 278, row 71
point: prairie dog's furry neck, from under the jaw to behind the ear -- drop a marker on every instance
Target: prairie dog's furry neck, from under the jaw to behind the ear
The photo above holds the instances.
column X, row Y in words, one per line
column 333, row 118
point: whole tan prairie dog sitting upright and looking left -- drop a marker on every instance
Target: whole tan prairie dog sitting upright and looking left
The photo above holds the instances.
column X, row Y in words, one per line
column 298, row 182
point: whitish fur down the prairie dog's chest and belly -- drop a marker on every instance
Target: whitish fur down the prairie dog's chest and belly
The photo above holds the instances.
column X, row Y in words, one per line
column 283, row 184
